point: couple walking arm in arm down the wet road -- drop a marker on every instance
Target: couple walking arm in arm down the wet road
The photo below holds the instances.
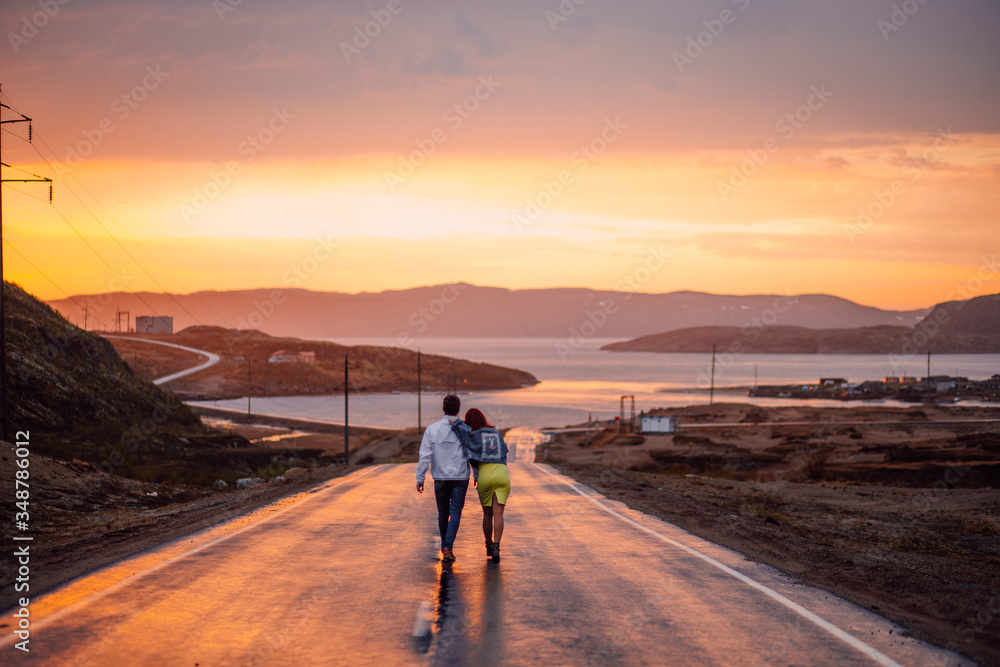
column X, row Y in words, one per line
column 450, row 447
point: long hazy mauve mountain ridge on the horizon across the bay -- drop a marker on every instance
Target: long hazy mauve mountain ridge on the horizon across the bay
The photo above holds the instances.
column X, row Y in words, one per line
column 462, row 310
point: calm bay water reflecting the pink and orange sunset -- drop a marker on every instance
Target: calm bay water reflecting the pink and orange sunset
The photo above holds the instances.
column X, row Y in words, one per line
column 580, row 382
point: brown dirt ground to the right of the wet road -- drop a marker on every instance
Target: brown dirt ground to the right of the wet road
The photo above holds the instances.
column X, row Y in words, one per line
column 901, row 517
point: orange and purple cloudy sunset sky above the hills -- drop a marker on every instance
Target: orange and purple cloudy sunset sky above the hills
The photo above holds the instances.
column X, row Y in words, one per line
column 752, row 146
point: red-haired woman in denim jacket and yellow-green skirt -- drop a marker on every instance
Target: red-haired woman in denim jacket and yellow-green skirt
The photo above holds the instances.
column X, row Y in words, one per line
column 488, row 455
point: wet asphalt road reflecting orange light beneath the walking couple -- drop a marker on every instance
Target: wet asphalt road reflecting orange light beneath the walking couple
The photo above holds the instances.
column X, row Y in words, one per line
column 348, row 573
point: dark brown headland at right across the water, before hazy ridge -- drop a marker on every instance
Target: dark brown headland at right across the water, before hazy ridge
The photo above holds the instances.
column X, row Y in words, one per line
column 958, row 327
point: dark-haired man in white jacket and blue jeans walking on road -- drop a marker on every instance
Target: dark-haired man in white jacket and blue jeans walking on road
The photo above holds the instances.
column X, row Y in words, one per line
column 441, row 450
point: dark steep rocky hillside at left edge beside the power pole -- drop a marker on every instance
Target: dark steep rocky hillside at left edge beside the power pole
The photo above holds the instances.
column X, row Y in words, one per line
column 82, row 404
